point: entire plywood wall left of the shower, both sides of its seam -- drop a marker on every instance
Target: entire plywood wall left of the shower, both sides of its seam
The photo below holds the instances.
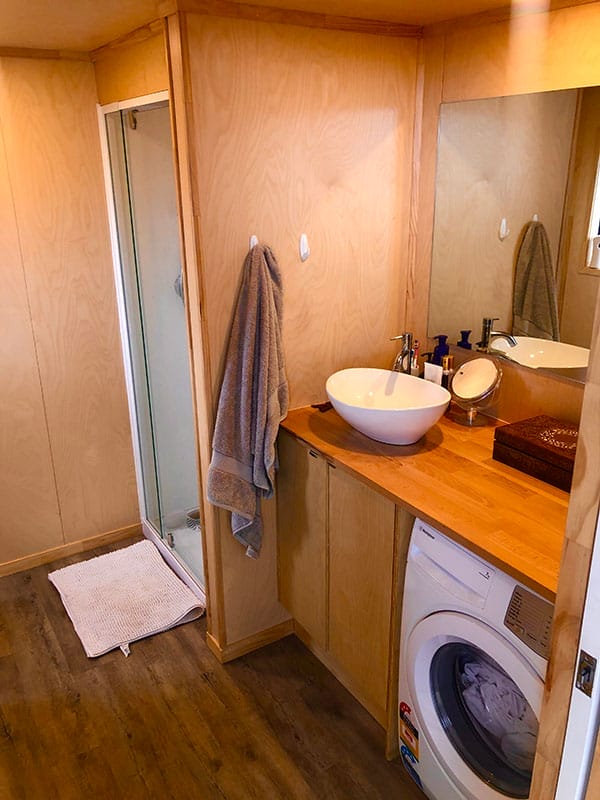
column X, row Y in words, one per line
column 61, row 292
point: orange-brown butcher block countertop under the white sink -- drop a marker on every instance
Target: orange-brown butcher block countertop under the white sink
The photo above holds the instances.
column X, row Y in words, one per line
column 450, row 480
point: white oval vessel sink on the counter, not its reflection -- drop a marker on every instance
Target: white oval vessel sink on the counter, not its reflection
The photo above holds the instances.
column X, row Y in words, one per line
column 387, row 406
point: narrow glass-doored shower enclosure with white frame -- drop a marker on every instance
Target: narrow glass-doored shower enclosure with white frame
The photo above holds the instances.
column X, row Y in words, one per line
column 142, row 198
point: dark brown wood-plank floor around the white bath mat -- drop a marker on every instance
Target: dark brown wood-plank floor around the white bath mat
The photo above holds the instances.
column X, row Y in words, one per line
column 170, row 721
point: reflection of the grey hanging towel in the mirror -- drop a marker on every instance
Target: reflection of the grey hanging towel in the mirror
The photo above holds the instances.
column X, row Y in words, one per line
column 535, row 311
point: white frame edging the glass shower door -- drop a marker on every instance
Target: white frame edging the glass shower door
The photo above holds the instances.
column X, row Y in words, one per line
column 148, row 529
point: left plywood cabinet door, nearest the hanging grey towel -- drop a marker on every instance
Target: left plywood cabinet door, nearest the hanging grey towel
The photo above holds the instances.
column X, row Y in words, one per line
column 302, row 536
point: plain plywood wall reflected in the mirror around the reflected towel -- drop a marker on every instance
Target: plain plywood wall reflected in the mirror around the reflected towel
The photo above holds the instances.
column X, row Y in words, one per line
column 505, row 157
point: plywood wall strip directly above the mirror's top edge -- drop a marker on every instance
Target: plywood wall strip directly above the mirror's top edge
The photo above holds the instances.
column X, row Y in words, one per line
column 529, row 53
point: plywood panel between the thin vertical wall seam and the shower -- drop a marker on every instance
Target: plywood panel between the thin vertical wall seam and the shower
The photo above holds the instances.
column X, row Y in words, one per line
column 52, row 144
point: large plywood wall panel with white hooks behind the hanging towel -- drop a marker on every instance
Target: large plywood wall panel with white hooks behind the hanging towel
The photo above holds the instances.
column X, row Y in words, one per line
column 305, row 131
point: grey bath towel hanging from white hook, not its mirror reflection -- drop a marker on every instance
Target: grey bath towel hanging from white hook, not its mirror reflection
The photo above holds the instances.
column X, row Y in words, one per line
column 252, row 403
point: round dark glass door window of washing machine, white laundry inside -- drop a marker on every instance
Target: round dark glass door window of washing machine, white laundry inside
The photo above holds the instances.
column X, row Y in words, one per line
column 485, row 715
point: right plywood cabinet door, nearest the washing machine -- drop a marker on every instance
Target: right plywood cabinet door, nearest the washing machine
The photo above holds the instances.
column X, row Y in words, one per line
column 361, row 555
